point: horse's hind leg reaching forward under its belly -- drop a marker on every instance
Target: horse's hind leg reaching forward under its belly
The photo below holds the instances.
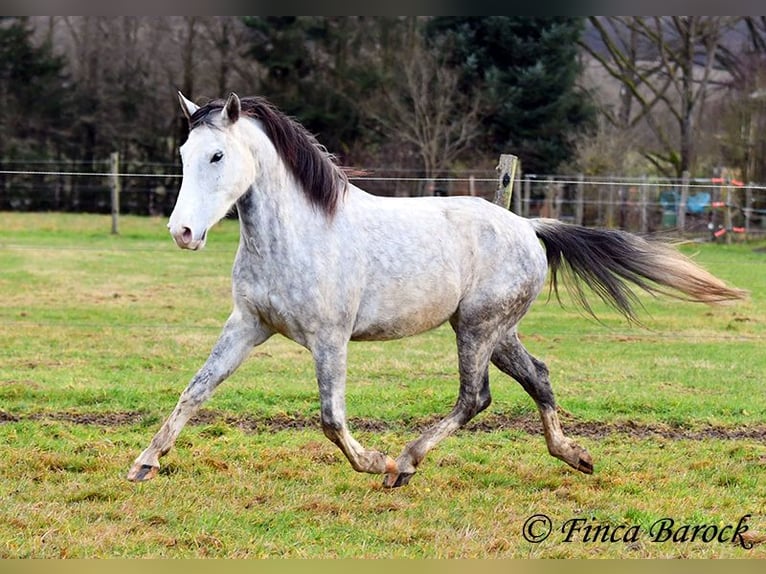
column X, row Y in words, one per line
column 473, row 356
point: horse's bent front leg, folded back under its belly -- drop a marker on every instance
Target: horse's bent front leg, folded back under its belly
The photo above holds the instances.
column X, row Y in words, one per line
column 330, row 364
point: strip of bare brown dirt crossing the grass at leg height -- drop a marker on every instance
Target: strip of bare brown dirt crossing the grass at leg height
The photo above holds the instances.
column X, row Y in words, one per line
column 528, row 423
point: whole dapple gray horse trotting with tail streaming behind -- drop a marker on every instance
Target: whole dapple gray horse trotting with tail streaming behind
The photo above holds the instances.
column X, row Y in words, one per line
column 322, row 262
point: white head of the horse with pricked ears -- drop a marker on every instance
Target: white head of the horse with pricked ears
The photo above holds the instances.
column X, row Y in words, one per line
column 217, row 170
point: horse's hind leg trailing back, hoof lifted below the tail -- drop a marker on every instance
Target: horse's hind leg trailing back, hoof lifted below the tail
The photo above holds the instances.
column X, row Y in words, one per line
column 512, row 358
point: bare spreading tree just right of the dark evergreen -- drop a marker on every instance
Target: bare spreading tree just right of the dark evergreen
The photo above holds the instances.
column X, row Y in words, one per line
column 672, row 75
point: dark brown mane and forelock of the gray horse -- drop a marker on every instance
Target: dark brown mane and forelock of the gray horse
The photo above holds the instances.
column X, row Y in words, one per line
column 321, row 179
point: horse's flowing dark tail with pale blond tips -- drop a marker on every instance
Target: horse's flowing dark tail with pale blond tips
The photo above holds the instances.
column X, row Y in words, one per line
column 606, row 261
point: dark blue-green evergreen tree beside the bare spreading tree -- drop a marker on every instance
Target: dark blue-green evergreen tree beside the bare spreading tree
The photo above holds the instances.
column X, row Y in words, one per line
column 526, row 69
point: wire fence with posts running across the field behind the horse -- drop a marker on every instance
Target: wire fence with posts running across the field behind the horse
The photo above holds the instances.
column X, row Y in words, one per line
column 713, row 206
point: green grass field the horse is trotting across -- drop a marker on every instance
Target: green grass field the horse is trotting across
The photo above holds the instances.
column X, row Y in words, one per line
column 99, row 334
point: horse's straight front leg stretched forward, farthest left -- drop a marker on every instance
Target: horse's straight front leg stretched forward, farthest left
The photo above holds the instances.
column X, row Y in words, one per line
column 240, row 334
